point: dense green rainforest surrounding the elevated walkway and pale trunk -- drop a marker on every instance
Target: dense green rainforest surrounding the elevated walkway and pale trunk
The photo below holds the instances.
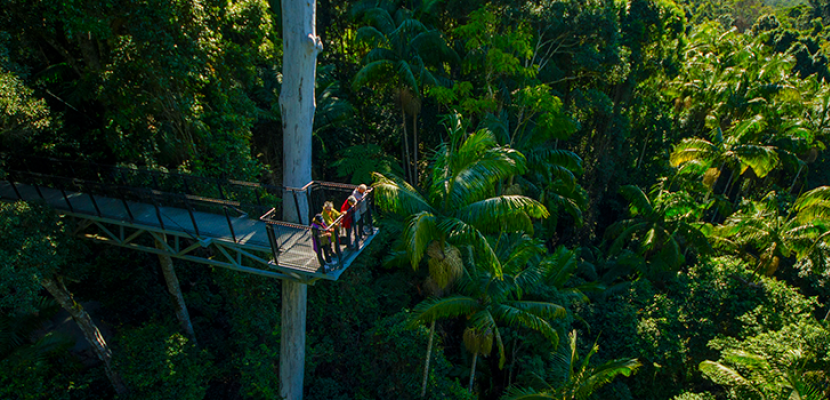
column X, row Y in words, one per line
column 604, row 199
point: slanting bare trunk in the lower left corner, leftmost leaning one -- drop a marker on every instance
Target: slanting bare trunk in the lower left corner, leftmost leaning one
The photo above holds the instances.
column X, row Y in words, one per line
column 58, row 290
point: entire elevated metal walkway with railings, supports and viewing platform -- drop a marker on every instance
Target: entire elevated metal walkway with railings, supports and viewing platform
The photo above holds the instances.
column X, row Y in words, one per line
column 227, row 232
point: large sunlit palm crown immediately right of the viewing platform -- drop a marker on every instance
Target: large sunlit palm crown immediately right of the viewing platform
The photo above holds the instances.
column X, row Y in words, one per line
column 461, row 204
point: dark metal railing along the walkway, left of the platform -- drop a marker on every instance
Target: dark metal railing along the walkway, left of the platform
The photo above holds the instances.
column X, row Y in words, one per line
column 133, row 187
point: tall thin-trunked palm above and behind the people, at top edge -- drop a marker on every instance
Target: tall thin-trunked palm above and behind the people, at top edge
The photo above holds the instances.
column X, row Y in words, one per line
column 402, row 50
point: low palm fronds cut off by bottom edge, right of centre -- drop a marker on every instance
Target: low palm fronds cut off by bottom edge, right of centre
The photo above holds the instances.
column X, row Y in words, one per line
column 575, row 378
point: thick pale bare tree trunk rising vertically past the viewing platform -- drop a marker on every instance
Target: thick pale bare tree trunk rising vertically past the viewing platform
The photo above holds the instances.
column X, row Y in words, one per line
column 300, row 48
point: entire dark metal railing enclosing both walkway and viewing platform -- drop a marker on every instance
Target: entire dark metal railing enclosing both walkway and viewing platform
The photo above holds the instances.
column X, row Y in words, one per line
column 122, row 193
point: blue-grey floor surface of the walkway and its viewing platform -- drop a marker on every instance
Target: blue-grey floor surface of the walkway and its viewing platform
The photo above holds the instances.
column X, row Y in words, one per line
column 294, row 244
